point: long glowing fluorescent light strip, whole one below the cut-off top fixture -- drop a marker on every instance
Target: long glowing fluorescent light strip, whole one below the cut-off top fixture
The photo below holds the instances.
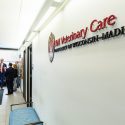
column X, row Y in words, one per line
column 45, row 17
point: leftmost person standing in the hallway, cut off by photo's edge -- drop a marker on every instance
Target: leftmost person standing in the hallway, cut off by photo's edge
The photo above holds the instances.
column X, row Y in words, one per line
column 3, row 67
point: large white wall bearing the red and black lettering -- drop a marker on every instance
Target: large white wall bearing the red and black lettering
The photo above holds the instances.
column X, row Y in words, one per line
column 85, row 85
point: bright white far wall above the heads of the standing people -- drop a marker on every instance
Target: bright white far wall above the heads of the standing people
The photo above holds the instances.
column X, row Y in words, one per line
column 9, row 55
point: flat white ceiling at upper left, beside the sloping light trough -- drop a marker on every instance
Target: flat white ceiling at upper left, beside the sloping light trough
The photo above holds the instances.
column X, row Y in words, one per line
column 16, row 18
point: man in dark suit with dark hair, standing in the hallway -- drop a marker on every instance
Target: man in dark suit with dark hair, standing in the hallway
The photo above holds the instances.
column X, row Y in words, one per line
column 9, row 74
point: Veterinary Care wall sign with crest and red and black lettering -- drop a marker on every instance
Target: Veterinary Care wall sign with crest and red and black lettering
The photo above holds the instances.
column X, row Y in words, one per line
column 66, row 42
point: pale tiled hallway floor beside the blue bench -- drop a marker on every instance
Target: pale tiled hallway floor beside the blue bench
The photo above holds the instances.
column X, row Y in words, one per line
column 16, row 97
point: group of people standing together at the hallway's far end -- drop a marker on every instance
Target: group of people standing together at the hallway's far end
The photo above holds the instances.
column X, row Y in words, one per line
column 9, row 76
